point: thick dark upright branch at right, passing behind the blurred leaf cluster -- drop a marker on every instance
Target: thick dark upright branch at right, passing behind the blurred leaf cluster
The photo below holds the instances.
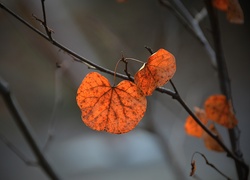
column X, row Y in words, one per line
column 225, row 85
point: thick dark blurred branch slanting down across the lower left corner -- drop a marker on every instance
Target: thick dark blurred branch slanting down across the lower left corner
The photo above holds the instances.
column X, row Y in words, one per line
column 25, row 128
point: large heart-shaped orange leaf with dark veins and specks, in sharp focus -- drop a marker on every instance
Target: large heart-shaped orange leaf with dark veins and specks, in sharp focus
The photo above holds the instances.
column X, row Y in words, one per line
column 113, row 109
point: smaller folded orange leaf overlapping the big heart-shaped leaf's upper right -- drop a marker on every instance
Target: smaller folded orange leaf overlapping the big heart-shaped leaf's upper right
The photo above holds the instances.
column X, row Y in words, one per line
column 158, row 70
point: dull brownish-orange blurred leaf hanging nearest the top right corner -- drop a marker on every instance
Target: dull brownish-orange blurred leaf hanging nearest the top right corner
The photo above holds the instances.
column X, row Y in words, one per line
column 235, row 13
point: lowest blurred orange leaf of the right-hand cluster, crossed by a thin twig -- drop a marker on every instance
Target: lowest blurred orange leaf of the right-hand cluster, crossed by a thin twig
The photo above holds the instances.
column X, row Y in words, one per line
column 210, row 143
